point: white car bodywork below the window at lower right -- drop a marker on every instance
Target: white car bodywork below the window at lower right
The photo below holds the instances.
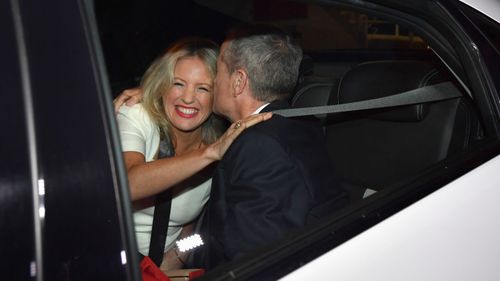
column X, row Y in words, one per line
column 445, row 236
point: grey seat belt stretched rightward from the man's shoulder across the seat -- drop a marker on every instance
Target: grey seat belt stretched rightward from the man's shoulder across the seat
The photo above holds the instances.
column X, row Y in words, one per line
column 431, row 93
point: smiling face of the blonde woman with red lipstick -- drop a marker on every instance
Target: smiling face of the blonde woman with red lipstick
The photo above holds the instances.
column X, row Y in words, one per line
column 188, row 102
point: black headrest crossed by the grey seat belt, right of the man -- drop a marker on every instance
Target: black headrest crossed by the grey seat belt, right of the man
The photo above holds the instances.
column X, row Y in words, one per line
column 384, row 78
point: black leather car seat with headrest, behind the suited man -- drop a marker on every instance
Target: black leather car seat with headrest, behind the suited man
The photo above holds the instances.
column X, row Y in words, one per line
column 373, row 149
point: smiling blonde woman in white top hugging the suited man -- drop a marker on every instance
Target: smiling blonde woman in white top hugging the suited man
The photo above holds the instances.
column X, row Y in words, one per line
column 176, row 106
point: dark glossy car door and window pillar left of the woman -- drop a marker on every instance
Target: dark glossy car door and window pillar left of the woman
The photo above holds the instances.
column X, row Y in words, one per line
column 63, row 196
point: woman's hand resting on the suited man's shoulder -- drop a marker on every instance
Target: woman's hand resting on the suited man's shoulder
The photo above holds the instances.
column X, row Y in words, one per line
column 217, row 149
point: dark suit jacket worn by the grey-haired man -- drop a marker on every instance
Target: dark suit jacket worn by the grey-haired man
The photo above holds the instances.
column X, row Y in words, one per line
column 267, row 184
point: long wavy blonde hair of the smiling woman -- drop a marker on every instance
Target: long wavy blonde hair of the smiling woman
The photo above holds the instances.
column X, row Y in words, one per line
column 159, row 78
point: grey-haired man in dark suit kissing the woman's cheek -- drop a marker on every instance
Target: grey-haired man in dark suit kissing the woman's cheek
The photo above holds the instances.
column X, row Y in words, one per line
column 276, row 176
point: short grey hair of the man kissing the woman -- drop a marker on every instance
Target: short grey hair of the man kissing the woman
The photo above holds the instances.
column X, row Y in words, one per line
column 270, row 57
